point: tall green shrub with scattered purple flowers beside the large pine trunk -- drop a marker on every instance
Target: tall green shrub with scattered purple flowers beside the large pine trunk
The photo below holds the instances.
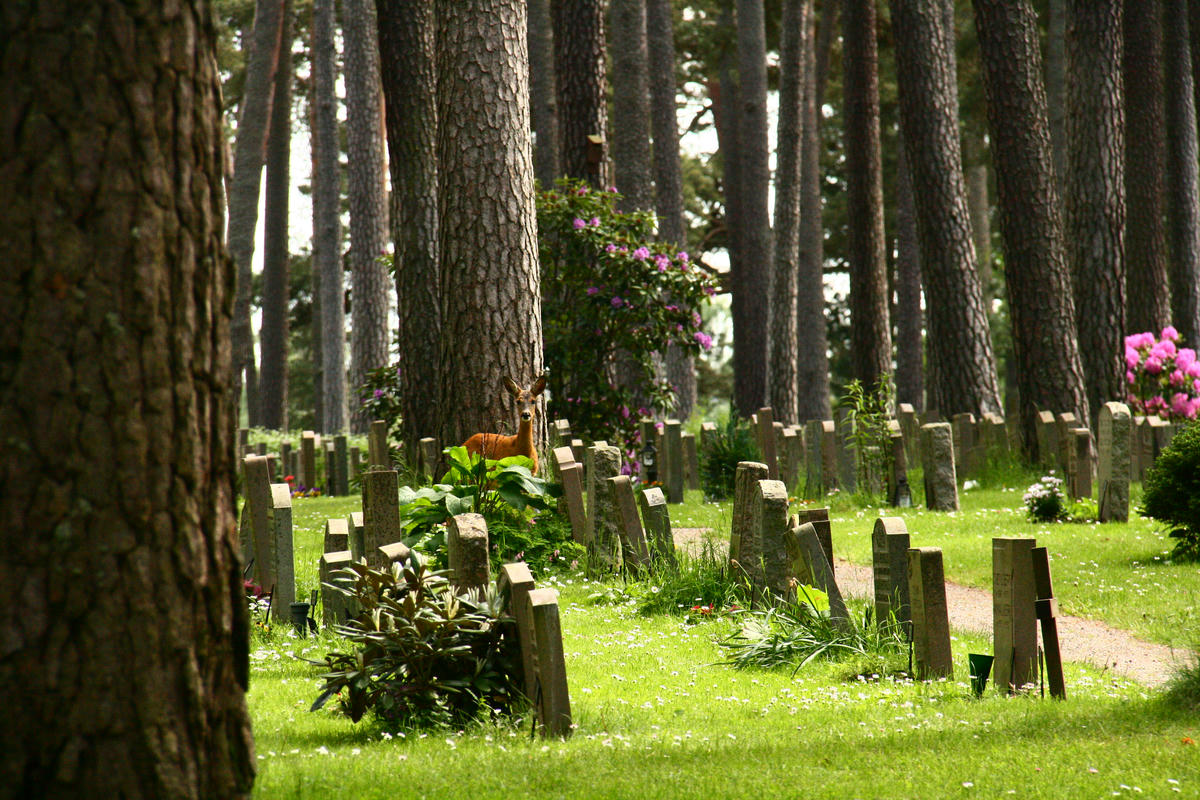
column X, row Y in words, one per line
column 609, row 292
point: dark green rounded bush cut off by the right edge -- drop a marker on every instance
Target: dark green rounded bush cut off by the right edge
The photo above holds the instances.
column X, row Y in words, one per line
column 1173, row 492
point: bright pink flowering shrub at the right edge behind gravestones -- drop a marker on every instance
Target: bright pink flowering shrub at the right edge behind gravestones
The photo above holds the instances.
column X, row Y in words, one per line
column 1163, row 378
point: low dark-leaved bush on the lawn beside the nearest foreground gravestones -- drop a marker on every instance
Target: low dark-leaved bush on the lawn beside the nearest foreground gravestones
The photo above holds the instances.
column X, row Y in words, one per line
column 424, row 655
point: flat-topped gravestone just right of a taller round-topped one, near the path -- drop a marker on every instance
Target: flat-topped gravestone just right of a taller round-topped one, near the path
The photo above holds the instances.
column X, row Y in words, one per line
column 931, row 616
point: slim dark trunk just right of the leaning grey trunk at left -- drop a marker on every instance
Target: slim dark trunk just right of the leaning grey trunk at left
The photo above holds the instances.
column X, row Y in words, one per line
column 274, row 334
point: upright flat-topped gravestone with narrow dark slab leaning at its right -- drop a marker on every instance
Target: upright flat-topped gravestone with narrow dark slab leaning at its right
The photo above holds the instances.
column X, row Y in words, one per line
column 1015, row 623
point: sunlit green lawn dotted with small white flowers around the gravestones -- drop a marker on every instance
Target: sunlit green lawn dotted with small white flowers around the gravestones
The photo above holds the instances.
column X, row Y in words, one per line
column 661, row 717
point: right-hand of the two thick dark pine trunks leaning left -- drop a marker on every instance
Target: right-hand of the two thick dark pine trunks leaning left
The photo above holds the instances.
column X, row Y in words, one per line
column 1049, row 372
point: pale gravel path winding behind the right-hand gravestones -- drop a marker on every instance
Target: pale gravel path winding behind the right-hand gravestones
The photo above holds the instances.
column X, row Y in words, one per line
column 1082, row 640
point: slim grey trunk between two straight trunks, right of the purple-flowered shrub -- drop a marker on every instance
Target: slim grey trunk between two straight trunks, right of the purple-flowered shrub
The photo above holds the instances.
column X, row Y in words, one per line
column 784, row 358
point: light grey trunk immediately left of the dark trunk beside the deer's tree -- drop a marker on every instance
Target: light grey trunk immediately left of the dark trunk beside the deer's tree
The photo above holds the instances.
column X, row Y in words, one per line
column 370, row 284
